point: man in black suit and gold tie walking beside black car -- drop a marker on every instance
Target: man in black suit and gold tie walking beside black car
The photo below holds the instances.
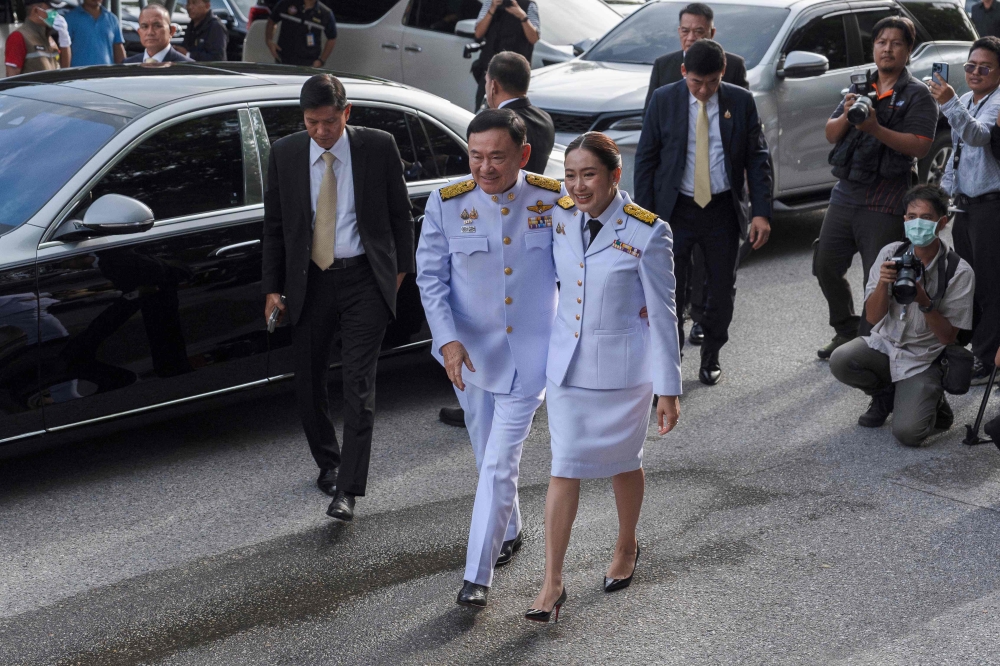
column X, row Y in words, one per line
column 338, row 241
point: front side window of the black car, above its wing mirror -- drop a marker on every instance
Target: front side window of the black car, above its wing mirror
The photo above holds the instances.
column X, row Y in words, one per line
column 195, row 166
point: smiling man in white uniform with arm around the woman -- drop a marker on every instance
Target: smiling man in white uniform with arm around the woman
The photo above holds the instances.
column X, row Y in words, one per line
column 487, row 281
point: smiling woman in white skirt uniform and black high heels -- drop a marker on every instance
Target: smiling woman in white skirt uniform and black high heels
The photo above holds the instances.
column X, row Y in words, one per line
column 614, row 264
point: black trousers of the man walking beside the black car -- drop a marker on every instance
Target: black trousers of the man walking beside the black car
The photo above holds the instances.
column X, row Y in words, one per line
column 350, row 301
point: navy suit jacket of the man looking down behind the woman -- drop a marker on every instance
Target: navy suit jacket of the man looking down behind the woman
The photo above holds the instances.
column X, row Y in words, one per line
column 660, row 157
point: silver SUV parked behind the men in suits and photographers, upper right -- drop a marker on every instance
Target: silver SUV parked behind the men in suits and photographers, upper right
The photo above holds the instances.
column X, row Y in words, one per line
column 799, row 54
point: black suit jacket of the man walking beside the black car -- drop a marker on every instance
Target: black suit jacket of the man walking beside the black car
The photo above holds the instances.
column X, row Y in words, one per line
column 380, row 200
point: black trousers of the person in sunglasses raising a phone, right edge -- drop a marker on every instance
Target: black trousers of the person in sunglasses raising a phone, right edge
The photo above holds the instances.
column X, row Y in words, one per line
column 977, row 241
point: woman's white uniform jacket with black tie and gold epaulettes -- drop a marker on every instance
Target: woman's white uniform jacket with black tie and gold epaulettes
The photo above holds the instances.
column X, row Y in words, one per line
column 599, row 341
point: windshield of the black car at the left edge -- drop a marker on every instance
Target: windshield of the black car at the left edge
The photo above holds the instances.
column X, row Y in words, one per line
column 44, row 144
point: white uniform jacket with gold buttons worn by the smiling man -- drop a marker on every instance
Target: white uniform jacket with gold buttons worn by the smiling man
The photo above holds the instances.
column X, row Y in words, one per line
column 487, row 279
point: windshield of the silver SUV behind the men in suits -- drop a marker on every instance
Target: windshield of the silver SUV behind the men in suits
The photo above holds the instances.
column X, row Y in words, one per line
column 643, row 37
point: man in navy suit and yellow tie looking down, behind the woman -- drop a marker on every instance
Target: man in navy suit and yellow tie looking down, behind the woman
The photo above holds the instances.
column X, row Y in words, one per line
column 716, row 127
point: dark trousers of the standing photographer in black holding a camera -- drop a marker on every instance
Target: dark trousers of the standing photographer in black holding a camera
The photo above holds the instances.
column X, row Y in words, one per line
column 846, row 231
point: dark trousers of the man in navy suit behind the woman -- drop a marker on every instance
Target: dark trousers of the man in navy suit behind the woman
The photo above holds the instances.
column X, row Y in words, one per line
column 715, row 230
